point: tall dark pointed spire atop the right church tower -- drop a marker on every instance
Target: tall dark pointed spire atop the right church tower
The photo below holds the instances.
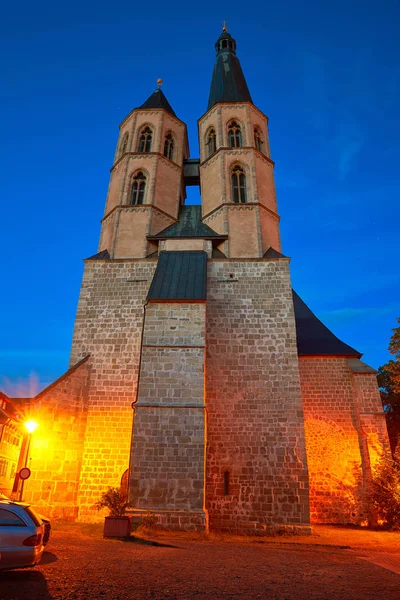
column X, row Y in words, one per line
column 228, row 83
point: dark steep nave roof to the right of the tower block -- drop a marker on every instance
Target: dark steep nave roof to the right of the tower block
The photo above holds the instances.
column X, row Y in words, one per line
column 313, row 338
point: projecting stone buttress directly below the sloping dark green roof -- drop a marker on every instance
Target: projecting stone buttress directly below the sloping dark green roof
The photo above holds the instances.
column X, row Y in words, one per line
column 167, row 468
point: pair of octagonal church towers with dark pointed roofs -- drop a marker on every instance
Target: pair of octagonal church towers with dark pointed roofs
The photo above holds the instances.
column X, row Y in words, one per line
column 235, row 172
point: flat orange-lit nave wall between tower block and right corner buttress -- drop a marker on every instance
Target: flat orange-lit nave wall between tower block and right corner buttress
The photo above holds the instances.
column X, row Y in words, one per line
column 332, row 424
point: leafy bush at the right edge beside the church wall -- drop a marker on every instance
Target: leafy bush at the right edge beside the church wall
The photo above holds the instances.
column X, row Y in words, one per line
column 386, row 490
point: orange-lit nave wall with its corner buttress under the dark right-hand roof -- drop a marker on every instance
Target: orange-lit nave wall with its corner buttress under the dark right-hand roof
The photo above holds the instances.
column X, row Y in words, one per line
column 345, row 433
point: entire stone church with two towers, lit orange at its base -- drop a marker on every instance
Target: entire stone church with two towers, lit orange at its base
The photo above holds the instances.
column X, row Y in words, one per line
column 199, row 380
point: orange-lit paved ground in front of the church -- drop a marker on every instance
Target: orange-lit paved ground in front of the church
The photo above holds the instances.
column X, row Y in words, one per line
column 335, row 564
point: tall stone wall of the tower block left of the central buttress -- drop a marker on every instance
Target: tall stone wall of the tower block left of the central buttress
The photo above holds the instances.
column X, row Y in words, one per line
column 109, row 327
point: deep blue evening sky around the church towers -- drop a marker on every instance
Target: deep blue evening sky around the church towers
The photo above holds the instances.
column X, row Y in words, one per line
column 326, row 75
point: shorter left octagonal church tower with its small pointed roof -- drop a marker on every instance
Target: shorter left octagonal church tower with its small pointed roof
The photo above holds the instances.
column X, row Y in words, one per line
column 146, row 186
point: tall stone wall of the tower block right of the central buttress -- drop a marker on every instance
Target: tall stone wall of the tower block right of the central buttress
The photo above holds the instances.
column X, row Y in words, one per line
column 256, row 461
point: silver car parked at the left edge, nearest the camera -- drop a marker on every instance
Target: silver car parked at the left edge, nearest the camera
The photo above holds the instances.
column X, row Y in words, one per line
column 21, row 535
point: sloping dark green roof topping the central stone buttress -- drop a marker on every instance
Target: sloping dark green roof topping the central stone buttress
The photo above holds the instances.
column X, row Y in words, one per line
column 179, row 276
